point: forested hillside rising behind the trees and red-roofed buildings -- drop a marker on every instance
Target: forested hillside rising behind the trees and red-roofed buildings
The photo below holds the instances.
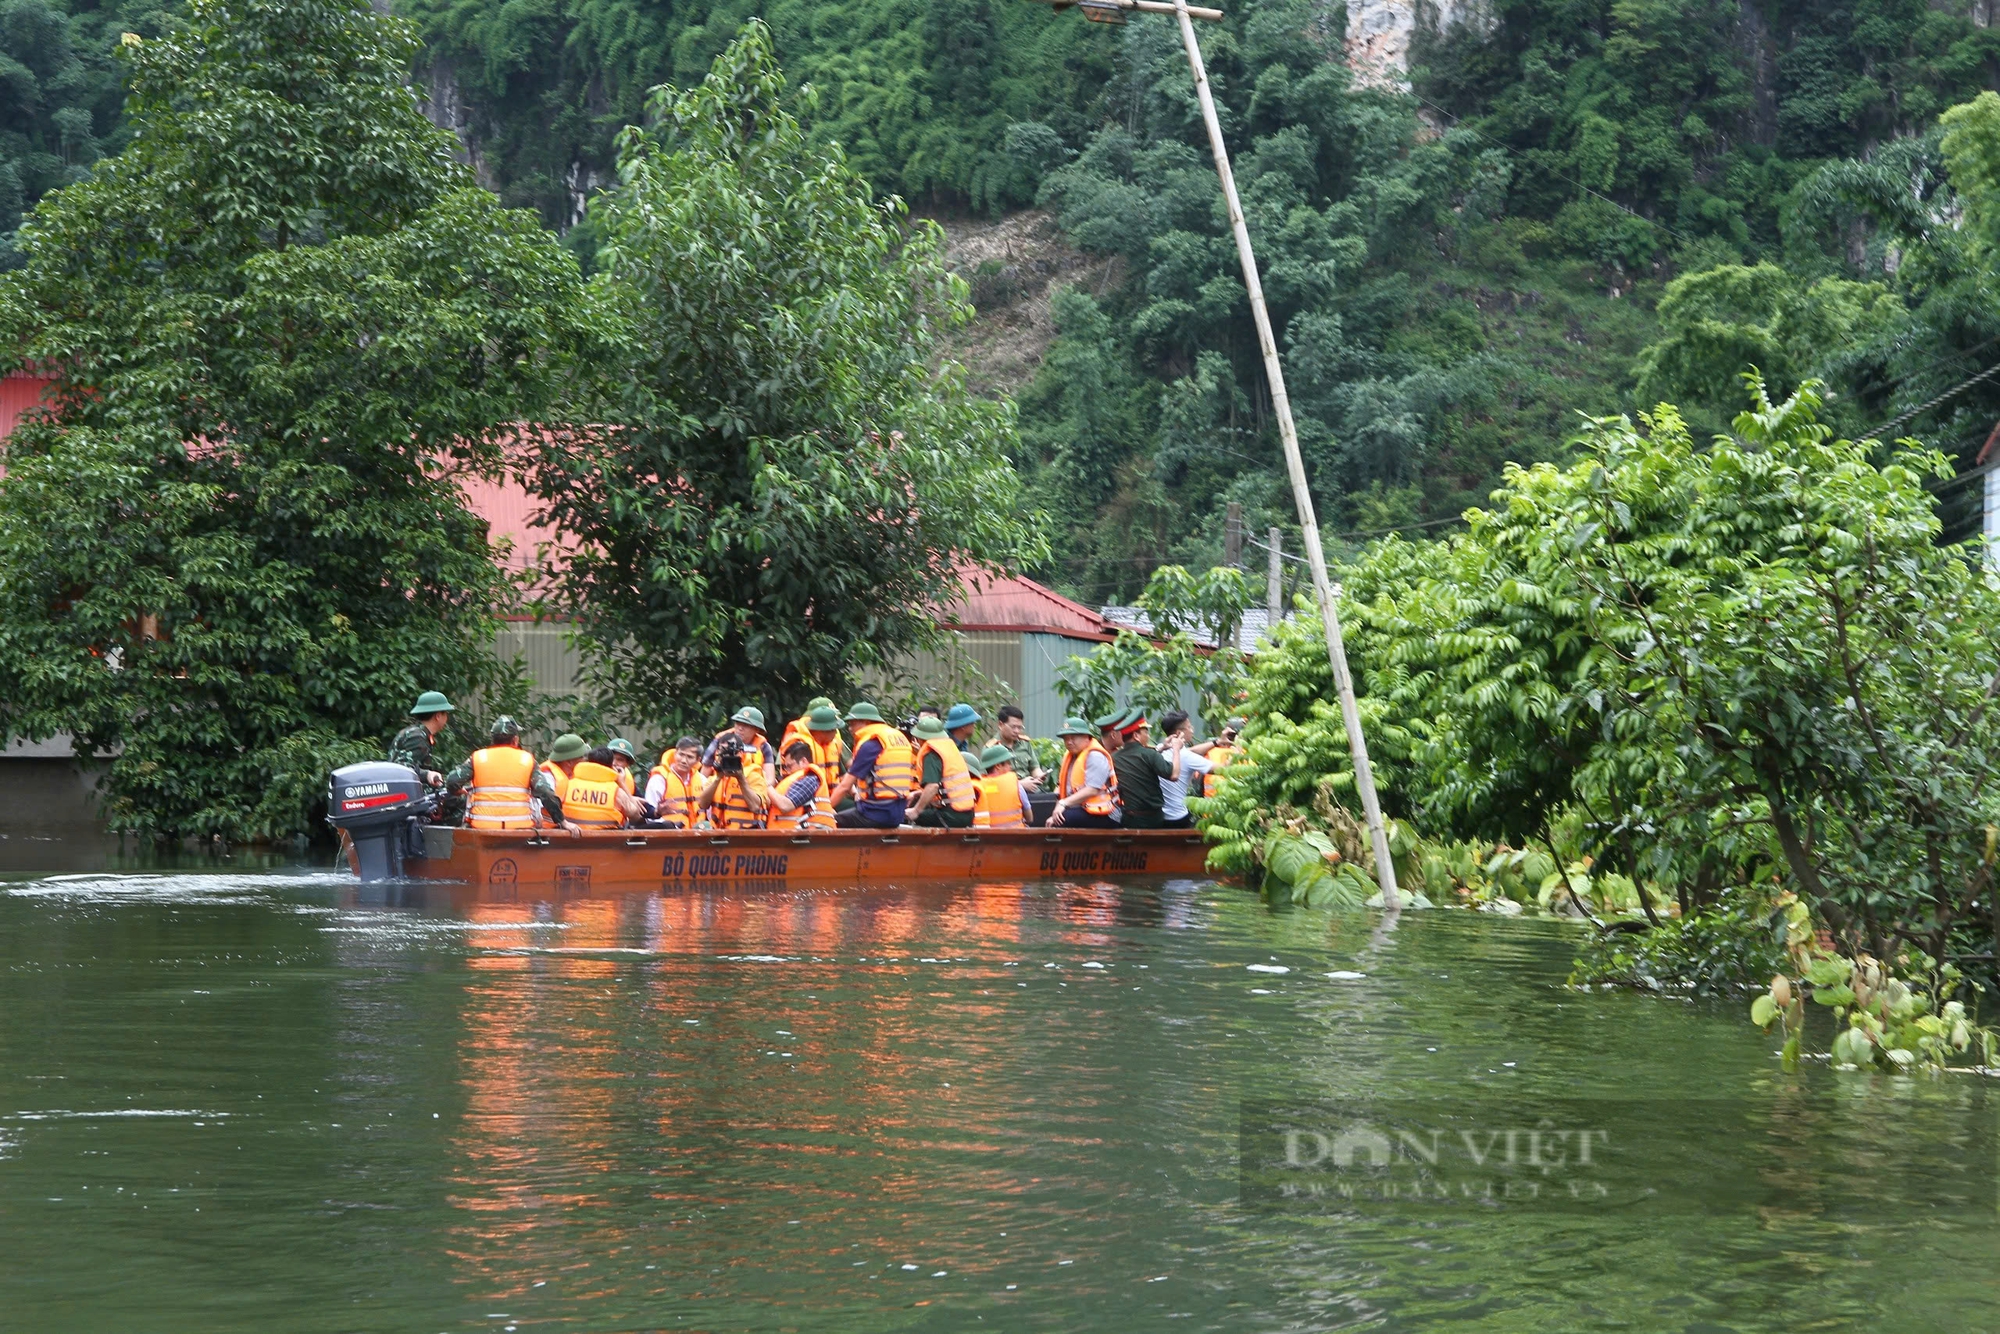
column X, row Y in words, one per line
column 1579, row 207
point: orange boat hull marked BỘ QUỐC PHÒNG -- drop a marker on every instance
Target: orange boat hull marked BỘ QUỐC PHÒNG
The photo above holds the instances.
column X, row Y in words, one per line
column 777, row 859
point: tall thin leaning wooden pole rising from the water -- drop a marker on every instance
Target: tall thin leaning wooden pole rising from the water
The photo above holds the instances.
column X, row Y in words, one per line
column 1293, row 465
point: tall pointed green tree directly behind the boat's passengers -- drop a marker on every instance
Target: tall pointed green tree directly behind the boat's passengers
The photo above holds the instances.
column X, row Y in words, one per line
column 789, row 483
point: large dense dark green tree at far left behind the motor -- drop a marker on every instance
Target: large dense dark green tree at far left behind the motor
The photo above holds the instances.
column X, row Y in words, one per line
column 283, row 321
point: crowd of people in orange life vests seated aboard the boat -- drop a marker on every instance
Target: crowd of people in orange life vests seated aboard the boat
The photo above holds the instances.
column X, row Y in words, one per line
column 833, row 771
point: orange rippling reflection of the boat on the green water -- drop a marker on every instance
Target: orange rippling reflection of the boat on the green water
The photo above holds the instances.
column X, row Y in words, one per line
column 705, row 1049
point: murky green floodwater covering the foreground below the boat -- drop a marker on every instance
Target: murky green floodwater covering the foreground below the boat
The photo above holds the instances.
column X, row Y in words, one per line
column 251, row 1103
